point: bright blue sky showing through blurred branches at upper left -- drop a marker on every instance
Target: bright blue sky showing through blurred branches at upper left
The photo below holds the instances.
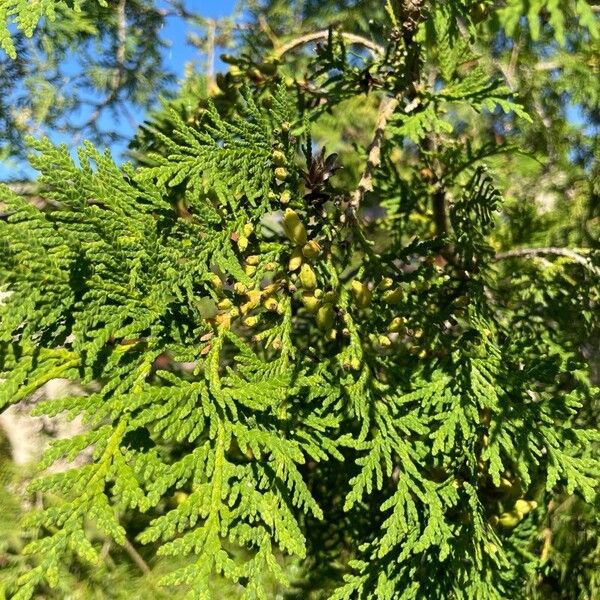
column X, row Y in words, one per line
column 174, row 57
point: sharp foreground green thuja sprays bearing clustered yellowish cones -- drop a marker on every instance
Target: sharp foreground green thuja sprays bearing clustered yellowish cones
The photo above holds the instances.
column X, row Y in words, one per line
column 282, row 372
